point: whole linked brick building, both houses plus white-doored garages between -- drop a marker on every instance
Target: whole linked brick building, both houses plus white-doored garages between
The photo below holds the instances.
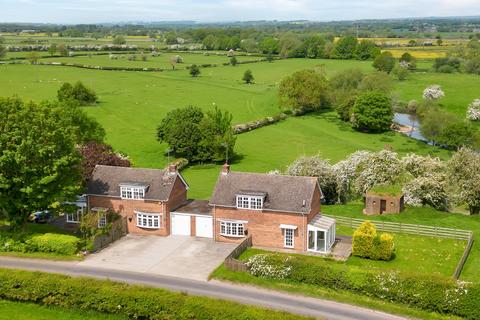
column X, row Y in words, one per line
column 279, row 212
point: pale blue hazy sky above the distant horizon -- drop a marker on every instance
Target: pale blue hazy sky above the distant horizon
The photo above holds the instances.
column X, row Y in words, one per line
column 97, row 11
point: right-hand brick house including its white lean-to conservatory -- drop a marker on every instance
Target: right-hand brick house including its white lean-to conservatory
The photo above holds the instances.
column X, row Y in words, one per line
column 280, row 212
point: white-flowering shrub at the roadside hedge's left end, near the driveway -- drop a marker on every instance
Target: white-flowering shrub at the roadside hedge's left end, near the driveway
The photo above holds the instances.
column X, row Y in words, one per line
column 271, row 266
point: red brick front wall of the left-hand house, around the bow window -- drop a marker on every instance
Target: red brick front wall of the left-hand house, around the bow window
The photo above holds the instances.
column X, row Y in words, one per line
column 126, row 209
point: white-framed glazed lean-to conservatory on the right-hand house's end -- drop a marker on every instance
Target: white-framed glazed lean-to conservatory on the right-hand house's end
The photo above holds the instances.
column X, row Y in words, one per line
column 321, row 234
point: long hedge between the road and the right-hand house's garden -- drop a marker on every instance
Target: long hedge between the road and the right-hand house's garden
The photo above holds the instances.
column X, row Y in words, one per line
column 432, row 293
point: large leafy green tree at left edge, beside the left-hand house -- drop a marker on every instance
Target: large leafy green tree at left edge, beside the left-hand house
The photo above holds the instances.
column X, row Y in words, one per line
column 39, row 166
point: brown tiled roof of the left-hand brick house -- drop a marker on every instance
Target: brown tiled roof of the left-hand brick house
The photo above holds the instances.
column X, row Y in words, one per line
column 106, row 181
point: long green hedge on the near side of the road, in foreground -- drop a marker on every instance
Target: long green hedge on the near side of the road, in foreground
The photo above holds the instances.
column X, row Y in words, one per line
column 133, row 301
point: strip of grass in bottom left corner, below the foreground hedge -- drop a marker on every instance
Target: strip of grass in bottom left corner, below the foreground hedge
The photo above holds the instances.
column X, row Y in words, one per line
column 29, row 311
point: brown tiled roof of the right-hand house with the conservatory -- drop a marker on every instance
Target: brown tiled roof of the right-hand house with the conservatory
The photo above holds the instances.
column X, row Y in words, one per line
column 281, row 193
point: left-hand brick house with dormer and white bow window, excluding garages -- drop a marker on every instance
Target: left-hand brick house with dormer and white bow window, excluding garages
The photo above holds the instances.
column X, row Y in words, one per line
column 144, row 197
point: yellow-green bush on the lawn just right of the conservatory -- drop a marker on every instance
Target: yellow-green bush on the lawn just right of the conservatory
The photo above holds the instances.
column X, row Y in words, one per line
column 366, row 243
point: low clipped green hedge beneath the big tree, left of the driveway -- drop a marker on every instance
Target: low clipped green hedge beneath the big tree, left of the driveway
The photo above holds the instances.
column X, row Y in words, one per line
column 48, row 243
